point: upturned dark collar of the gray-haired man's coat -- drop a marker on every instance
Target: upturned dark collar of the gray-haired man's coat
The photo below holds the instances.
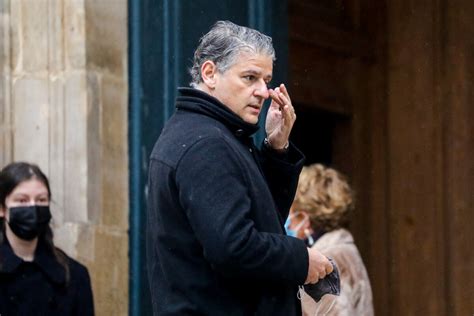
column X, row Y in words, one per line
column 198, row 101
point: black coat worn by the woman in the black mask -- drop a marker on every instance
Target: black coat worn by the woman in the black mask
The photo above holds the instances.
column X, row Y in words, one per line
column 39, row 287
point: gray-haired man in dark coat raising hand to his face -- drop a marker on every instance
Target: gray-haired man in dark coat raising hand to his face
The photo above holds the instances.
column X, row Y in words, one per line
column 216, row 203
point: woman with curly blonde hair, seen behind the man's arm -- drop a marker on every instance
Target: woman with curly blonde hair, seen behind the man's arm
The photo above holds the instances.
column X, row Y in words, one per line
column 320, row 216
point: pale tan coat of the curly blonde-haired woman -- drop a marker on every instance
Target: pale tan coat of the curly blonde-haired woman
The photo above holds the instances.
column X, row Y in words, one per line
column 356, row 293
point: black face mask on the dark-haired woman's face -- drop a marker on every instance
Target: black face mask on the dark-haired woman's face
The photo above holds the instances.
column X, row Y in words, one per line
column 28, row 222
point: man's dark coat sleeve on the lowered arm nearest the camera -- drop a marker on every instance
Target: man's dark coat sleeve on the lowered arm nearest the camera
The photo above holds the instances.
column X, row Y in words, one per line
column 214, row 193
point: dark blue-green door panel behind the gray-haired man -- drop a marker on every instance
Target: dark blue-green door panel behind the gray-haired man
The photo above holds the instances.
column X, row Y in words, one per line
column 162, row 37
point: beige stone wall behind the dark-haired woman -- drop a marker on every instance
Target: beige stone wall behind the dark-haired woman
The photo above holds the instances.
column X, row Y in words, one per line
column 63, row 105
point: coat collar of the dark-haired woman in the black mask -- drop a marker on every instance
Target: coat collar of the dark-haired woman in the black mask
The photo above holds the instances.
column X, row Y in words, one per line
column 44, row 259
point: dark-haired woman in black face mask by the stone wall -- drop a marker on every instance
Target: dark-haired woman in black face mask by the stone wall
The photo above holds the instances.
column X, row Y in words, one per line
column 36, row 278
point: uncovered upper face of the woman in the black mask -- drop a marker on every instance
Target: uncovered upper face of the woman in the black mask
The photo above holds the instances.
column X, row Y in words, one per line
column 27, row 193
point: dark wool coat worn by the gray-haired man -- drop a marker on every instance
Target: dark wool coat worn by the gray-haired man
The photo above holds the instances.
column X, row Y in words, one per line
column 216, row 209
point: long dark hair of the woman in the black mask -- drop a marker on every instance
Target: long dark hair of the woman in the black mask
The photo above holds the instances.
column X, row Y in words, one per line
column 10, row 177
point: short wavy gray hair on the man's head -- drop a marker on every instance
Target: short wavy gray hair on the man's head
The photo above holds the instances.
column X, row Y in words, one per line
column 223, row 43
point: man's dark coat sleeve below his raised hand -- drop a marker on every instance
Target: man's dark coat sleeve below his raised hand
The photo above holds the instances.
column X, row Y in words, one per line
column 282, row 172
